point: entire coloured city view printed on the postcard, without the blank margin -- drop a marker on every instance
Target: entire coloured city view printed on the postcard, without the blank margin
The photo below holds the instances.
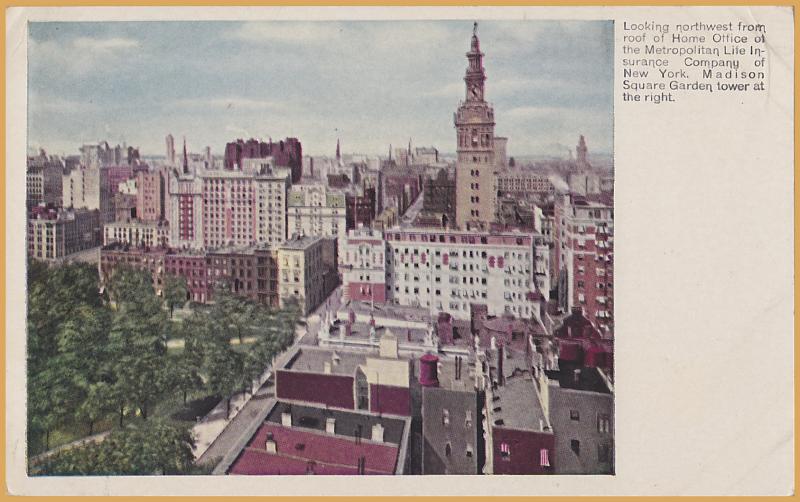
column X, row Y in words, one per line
column 320, row 248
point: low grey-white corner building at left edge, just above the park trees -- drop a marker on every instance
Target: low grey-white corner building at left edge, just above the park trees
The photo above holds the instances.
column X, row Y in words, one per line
column 54, row 235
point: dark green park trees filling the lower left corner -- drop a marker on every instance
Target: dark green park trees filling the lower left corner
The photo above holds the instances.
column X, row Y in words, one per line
column 93, row 356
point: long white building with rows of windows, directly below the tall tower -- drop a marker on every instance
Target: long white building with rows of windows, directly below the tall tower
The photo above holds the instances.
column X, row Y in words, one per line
column 451, row 270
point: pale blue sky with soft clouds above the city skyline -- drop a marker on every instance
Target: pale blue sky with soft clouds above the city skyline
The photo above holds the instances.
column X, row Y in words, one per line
column 369, row 83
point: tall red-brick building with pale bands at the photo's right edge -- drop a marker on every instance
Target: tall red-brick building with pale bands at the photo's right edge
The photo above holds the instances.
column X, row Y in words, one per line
column 584, row 254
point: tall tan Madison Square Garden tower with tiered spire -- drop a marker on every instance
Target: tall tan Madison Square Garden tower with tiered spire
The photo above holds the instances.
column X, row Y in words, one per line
column 475, row 165
